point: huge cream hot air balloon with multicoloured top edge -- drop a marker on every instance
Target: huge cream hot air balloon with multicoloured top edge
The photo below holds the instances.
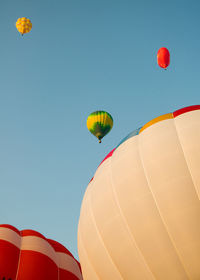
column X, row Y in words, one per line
column 140, row 215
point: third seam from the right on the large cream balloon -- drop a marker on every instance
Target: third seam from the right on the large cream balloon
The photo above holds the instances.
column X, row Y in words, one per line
column 127, row 226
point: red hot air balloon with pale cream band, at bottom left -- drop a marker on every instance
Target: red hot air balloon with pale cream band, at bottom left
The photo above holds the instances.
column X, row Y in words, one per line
column 28, row 255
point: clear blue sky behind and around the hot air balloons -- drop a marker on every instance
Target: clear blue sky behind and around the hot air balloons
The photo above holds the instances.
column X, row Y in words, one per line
column 82, row 56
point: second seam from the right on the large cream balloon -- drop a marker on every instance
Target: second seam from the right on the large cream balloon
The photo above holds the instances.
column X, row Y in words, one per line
column 159, row 211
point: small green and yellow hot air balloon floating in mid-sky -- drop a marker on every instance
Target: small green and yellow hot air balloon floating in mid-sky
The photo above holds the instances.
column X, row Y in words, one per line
column 99, row 123
